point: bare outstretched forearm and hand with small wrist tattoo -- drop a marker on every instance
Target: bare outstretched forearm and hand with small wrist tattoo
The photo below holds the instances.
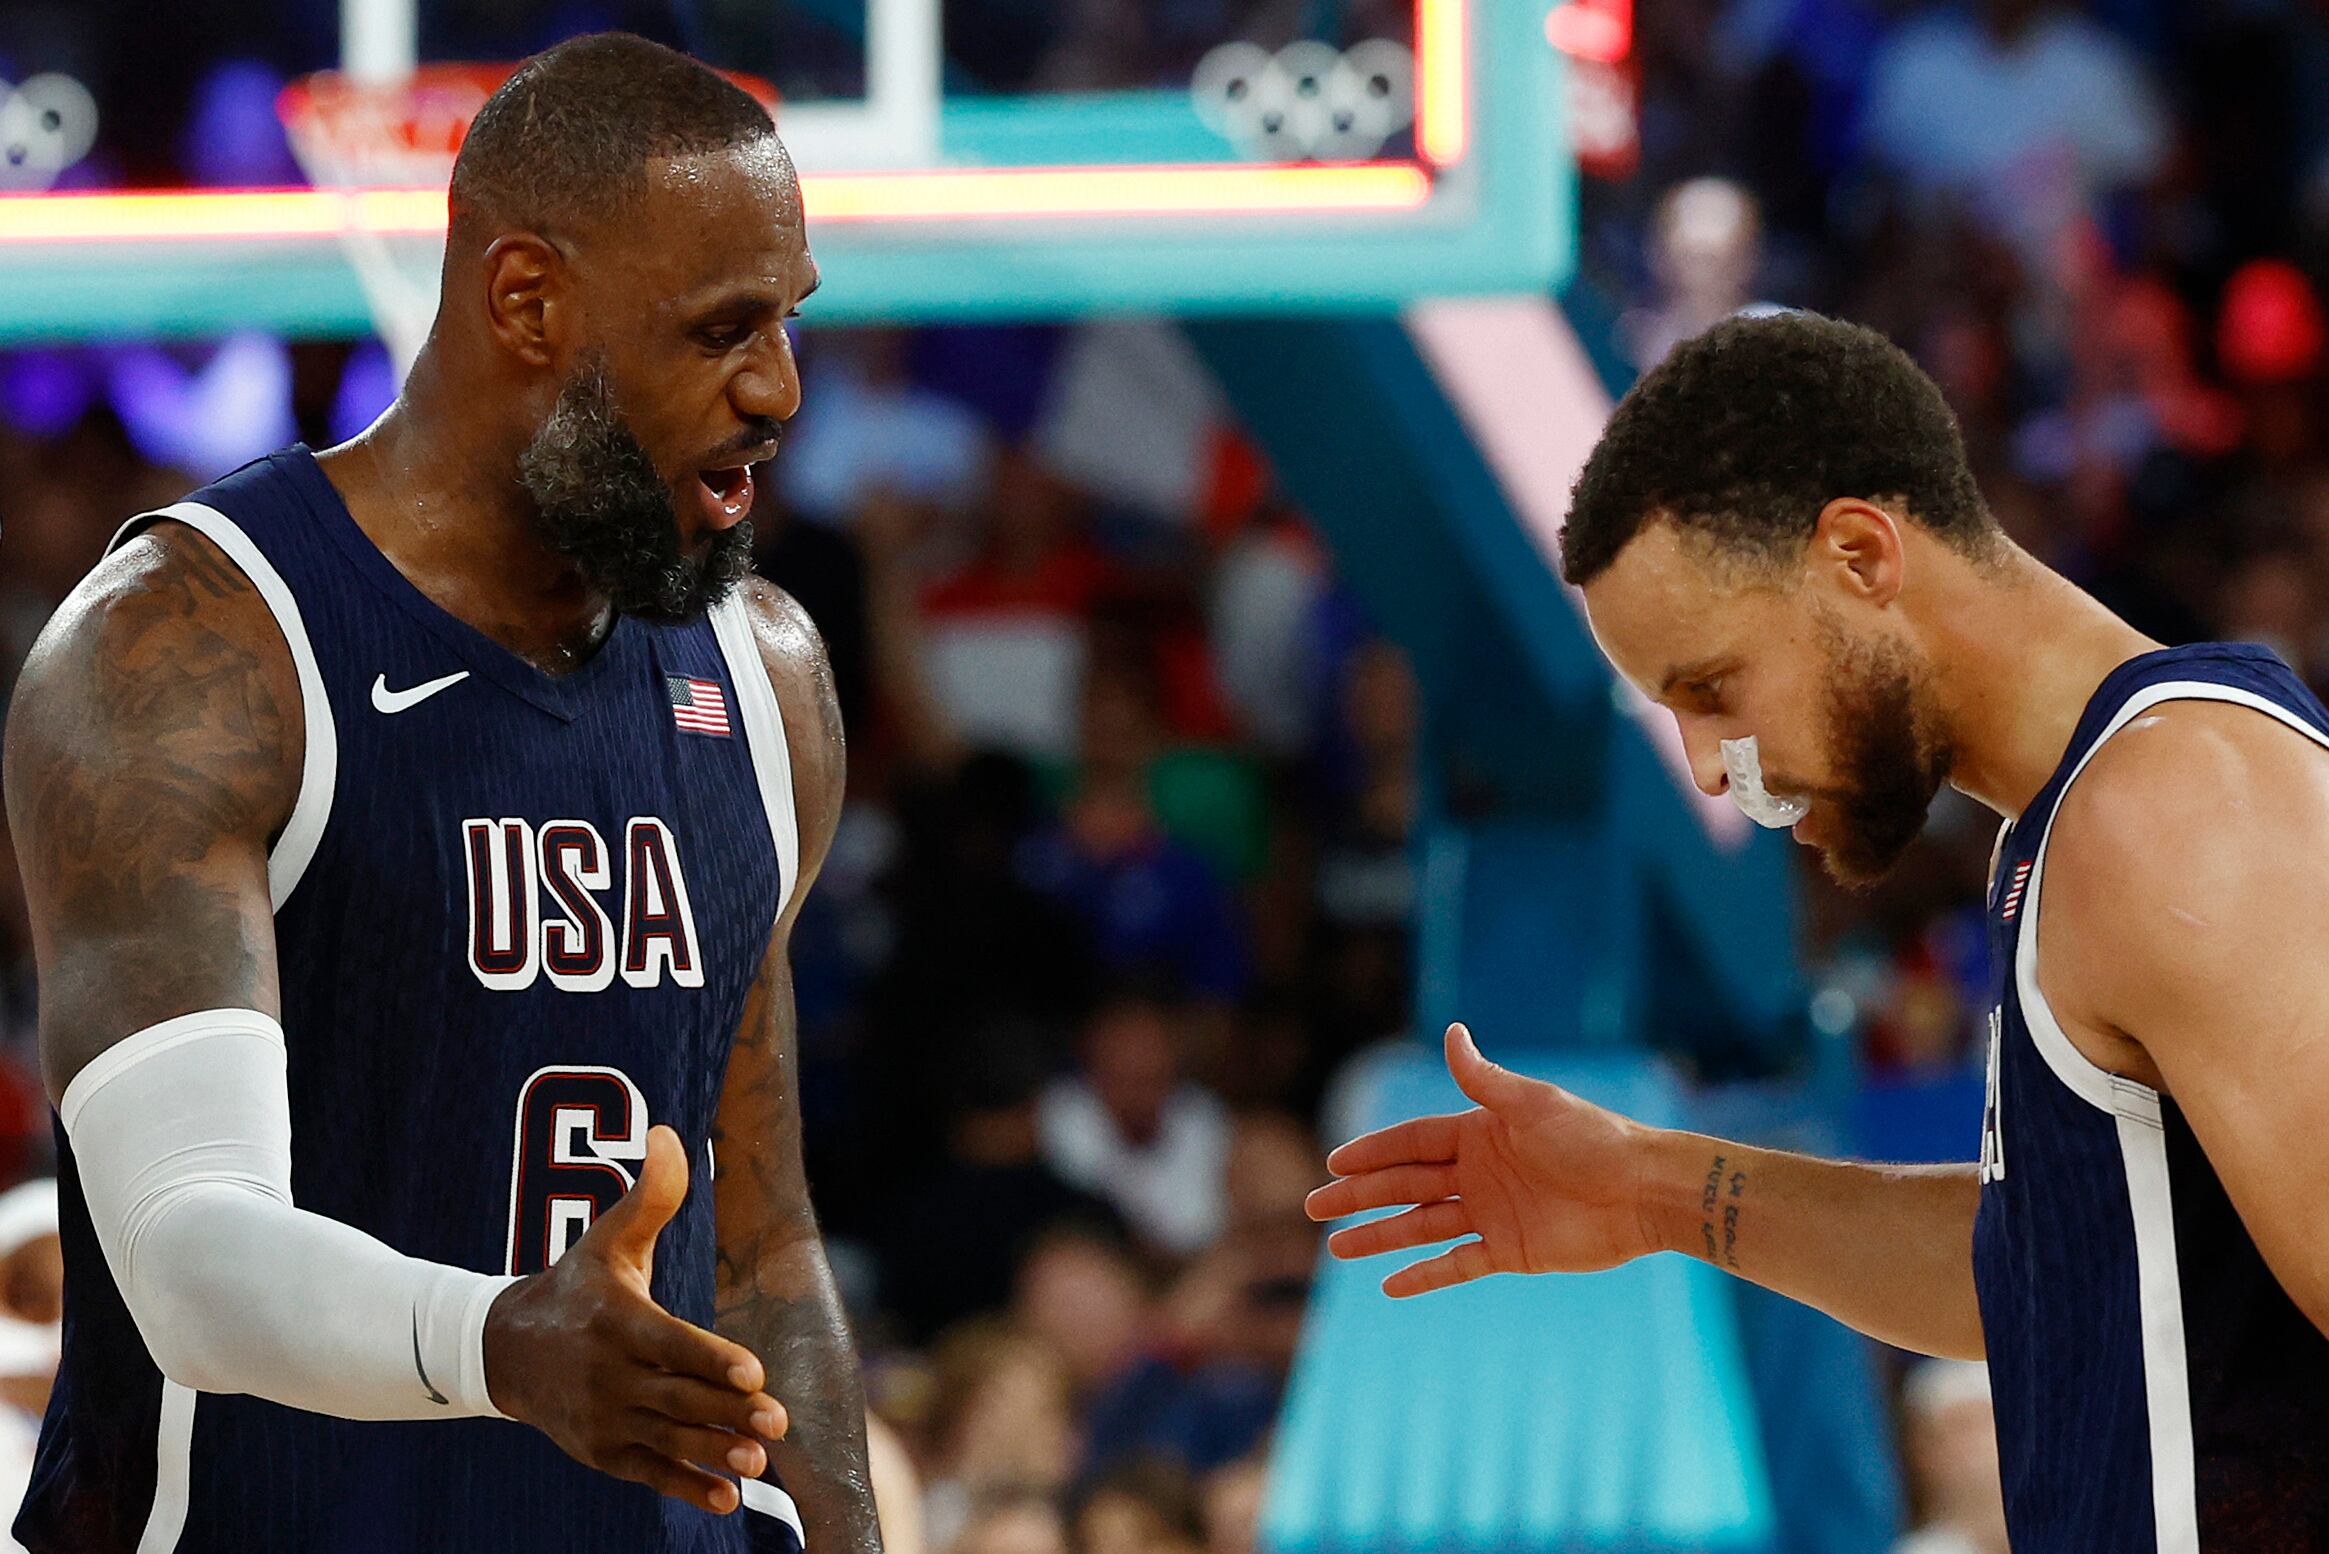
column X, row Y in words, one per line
column 1545, row 1182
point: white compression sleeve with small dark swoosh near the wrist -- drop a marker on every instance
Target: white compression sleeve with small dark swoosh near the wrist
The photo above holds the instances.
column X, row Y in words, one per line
column 183, row 1136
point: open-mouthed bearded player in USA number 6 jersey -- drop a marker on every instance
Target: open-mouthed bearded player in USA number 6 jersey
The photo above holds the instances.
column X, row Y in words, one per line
column 413, row 835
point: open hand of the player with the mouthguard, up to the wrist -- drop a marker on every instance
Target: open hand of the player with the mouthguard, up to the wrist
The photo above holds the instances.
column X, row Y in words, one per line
column 1541, row 1180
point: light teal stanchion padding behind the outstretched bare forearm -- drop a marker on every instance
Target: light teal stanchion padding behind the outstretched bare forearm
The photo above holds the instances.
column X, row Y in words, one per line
column 1557, row 1415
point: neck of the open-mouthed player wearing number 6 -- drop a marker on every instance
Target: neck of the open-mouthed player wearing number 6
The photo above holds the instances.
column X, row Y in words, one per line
column 432, row 488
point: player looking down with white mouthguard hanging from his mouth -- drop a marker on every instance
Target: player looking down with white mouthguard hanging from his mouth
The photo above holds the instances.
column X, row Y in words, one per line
column 1778, row 539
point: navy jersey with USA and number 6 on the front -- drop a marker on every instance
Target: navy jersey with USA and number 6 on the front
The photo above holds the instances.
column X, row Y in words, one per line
column 516, row 921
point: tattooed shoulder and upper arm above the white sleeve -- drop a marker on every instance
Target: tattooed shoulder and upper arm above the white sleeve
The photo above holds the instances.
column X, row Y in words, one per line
column 153, row 751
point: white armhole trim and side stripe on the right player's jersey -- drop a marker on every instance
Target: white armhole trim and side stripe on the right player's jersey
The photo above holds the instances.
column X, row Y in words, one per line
column 2144, row 1150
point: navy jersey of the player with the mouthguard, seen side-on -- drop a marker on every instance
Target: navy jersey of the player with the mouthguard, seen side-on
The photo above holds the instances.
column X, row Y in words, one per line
column 2155, row 1385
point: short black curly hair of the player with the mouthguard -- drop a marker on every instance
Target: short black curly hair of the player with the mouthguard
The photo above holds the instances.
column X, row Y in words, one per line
column 1746, row 432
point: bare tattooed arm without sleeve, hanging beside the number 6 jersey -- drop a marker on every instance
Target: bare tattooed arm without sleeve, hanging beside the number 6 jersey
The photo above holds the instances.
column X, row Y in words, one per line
column 777, row 1292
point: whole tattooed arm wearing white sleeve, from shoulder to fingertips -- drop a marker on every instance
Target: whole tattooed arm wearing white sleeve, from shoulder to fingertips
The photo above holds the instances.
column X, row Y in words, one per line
column 153, row 754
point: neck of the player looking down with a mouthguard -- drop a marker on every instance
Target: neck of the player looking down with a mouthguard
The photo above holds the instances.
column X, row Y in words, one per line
column 2020, row 654
